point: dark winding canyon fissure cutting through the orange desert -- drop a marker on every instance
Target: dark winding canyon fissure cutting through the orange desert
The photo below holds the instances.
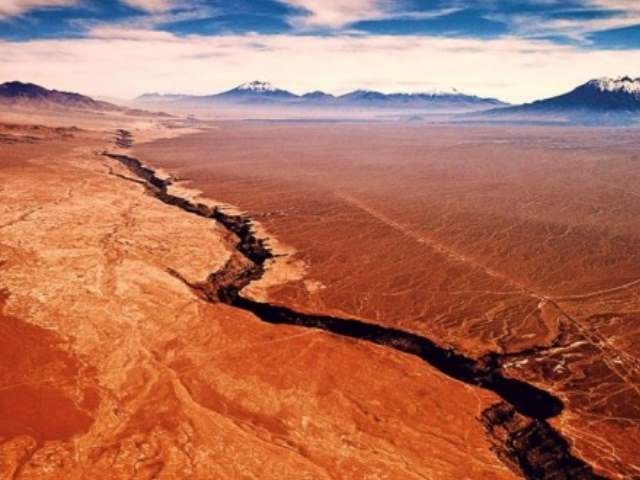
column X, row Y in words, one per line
column 518, row 426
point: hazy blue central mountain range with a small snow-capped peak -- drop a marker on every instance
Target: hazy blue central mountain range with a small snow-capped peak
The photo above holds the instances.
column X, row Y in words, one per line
column 263, row 93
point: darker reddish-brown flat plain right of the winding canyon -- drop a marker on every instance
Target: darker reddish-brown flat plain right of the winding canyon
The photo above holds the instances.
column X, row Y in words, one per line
column 523, row 242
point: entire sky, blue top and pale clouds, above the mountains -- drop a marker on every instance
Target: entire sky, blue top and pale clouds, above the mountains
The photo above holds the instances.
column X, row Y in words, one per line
column 515, row 50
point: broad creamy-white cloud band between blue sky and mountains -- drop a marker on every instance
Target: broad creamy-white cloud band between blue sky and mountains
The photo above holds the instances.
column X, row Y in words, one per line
column 124, row 63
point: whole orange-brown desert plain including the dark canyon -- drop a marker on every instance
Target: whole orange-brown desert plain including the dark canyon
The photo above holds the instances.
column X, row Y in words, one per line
column 370, row 301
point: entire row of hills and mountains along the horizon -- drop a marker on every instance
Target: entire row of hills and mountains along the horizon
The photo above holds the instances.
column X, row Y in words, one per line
column 602, row 100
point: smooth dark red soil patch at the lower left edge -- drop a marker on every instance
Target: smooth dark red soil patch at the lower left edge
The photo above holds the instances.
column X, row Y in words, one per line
column 43, row 391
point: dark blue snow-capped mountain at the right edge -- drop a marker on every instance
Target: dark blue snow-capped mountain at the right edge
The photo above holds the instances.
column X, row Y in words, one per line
column 597, row 101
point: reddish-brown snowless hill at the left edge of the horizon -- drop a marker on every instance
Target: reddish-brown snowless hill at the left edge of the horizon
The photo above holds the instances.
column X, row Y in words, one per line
column 30, row 95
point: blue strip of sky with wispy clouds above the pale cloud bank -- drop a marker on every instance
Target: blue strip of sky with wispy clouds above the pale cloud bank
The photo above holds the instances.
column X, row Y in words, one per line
column 590, row 23
